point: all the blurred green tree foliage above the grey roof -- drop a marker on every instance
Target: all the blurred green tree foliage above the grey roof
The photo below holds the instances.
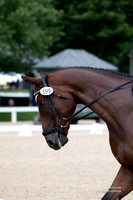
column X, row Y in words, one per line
column 31, row 29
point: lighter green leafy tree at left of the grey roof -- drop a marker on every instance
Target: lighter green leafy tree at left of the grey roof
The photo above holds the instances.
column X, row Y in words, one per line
column 27, row 30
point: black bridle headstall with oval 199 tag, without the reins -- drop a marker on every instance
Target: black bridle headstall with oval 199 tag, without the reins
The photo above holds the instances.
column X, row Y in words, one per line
column 48, row 91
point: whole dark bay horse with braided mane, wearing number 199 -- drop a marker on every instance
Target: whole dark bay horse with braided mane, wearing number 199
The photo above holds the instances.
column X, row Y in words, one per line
column 57, row 95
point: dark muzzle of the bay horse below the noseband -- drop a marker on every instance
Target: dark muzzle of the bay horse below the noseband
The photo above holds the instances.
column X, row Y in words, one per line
column 56, row 140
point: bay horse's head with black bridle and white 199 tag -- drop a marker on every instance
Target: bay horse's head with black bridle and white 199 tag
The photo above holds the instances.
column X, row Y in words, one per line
column 55, row 103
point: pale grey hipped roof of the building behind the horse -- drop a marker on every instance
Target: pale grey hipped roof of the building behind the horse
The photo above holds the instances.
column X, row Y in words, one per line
column 74, row 58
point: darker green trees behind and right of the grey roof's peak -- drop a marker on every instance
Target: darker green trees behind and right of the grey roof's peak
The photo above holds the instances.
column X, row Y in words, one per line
column 102, row 27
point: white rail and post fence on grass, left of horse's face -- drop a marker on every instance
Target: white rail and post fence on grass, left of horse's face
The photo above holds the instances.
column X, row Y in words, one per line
column 14, row 110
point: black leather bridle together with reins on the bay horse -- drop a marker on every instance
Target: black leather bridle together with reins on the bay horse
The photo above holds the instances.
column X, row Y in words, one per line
column 64, row 122
